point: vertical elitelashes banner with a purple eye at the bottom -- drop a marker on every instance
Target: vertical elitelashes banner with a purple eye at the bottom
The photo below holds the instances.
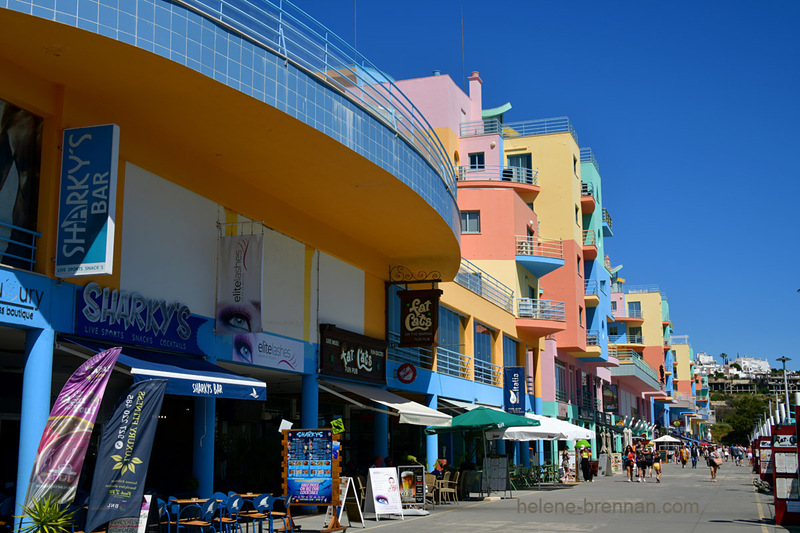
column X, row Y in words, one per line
column 239, row 284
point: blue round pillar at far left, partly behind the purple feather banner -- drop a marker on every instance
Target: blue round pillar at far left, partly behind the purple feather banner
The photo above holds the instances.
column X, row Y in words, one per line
column 37, row 380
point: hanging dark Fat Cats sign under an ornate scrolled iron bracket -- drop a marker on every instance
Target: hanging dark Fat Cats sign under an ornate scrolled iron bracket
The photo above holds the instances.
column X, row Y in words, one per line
column 419, row 317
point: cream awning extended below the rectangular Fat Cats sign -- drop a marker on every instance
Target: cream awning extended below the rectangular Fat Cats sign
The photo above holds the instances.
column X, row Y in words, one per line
column 410, row 412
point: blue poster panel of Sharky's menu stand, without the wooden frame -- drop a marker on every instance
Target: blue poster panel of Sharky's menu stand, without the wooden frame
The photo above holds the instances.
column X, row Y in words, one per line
column 309, row 467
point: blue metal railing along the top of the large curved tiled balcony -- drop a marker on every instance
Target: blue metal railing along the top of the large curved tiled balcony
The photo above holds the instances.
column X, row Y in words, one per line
column 289, row 32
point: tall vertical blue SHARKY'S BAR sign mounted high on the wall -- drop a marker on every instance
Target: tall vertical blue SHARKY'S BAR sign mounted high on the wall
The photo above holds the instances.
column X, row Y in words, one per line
column 85, row 240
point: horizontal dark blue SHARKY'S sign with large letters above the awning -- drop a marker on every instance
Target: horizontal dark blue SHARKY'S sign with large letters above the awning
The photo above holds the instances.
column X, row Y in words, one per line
column 130, row 318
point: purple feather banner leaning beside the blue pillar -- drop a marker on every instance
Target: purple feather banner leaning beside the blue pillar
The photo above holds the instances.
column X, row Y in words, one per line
column 62, row 449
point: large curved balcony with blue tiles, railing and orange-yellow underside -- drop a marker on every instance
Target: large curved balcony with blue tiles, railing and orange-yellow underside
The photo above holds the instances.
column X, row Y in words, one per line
column 266, row 109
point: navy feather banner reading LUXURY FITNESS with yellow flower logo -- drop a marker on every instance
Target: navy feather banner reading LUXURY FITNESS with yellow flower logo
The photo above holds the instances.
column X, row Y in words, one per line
column 124, row 454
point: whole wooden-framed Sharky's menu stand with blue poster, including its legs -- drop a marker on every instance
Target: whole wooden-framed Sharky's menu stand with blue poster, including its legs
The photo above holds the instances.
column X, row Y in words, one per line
column 311, row 472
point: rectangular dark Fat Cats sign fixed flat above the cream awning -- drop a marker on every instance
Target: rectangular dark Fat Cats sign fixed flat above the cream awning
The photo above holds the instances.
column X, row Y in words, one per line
column 345, row 354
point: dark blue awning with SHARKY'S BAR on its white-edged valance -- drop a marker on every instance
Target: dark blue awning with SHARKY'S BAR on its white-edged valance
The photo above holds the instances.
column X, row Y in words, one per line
column 186, row 375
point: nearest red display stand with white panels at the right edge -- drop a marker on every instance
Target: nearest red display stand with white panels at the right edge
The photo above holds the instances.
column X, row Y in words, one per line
column 784, row 475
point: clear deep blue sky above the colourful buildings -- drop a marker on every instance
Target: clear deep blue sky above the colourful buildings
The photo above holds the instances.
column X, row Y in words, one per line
column 691, row 109
